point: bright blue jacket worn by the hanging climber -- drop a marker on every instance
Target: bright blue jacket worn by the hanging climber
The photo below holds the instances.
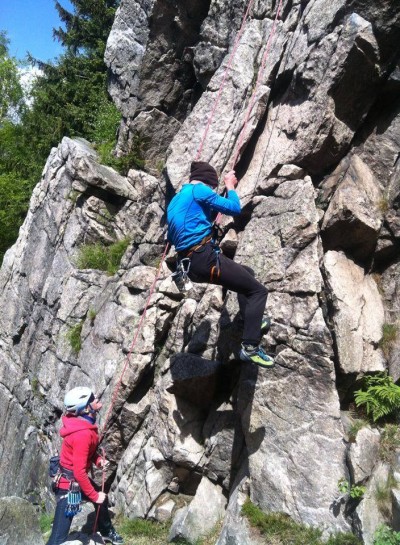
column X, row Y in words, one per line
column 190, row 213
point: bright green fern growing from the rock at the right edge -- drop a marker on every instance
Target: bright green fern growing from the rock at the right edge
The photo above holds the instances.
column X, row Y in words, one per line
column 380, row 396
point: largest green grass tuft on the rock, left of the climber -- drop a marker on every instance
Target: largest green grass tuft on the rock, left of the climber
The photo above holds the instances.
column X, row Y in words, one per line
column 103, row 258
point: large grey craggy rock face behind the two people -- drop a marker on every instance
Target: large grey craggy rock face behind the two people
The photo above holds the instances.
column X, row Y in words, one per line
column 307, row 107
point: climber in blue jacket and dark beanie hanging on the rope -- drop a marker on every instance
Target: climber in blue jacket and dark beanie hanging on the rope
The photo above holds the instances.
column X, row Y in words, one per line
column 190, row 217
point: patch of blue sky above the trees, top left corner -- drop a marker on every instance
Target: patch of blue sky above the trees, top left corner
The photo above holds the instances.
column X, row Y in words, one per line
column 29, row 25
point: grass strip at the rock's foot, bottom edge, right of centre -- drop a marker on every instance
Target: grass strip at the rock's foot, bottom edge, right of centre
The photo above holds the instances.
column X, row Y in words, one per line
column 280, row 529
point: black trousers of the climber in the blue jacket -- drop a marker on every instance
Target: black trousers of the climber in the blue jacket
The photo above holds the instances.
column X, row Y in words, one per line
column 252, row 295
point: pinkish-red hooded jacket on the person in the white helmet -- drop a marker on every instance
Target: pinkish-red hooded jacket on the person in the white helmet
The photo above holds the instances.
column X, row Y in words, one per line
column 78, row 452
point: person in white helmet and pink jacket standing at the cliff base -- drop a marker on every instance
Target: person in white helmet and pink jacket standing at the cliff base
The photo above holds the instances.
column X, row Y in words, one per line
column 78, row 452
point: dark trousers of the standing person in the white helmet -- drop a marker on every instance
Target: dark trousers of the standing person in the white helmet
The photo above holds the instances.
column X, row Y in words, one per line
column 62, row 523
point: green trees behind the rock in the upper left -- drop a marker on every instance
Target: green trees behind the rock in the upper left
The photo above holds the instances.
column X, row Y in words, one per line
column 69, row 98
